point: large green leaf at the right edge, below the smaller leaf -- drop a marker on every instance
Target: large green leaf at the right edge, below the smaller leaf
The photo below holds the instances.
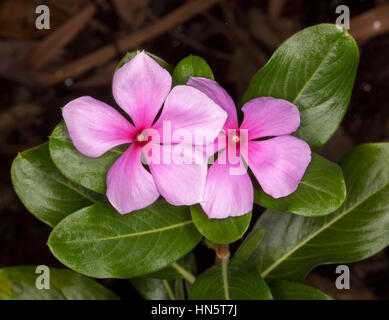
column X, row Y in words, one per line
column 293, row 245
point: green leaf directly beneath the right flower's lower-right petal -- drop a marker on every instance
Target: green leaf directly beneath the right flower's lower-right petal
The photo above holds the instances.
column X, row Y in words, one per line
column 321, row 191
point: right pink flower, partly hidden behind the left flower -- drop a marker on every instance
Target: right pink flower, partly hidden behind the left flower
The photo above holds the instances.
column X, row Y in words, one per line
column 278, row 163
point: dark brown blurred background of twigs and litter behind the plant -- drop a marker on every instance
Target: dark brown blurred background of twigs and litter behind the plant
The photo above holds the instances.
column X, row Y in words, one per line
column 39, row 75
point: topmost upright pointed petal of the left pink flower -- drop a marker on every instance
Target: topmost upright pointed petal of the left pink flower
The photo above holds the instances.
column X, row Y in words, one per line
column 140, row 87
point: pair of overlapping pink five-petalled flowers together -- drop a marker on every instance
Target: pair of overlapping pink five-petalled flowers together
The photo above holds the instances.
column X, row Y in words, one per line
column 197, row 120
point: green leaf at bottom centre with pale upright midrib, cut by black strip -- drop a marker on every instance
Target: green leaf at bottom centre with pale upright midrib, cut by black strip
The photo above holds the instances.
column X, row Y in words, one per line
column 233, row 281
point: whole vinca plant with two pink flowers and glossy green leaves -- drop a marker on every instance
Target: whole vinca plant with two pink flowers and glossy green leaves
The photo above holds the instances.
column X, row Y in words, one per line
column 130, row 190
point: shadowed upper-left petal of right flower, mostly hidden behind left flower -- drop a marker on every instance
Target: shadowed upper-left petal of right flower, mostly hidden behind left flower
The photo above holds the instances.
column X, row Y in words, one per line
column 220, row 96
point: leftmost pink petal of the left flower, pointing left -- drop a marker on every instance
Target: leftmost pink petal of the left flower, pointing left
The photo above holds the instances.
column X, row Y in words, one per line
column 95, row 127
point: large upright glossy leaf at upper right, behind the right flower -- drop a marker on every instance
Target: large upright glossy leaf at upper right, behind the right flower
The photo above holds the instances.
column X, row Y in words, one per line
column 314, row 69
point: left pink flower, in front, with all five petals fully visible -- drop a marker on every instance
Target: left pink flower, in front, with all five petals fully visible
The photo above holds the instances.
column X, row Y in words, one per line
column 140, row 87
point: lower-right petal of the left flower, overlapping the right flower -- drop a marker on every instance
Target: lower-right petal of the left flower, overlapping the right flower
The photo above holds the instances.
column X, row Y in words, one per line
column 181, row 180
